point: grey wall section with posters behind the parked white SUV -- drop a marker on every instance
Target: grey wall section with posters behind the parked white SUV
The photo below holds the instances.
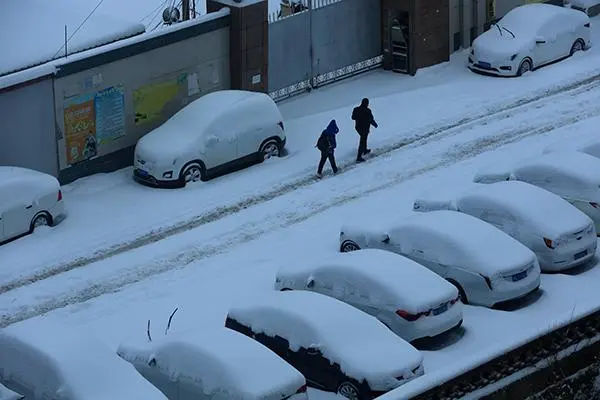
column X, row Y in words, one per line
column 121, row 97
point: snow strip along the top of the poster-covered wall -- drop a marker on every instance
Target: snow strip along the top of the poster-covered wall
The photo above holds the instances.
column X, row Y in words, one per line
column 51, row 67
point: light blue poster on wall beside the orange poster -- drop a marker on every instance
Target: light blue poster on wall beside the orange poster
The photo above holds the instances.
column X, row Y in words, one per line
column 110, row 114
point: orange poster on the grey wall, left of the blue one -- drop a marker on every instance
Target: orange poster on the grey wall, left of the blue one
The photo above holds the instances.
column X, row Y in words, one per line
column 80, row 128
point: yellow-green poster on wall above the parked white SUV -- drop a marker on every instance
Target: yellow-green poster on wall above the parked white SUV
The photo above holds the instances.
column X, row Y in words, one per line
column 155, row 102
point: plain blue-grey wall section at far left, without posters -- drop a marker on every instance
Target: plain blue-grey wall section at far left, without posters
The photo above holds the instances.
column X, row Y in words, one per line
column 27, row 129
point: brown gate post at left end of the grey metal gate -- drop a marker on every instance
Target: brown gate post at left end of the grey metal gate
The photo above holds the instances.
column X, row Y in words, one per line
column 248, row 43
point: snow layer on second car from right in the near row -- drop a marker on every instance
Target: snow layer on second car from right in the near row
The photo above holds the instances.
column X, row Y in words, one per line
column 547, row 211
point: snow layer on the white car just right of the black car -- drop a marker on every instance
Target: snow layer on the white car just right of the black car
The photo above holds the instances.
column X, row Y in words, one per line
column 389, row 278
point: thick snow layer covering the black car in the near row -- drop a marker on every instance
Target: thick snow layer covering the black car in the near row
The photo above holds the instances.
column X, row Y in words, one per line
column 362, row 346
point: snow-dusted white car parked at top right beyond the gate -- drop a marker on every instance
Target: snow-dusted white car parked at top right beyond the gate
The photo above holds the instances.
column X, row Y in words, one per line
column 529, row 37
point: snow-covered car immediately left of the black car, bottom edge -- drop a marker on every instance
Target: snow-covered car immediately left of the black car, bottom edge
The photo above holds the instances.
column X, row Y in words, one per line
column 214, row 364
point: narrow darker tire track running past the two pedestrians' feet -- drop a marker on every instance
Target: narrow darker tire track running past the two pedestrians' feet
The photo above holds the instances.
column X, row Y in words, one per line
column 482, row 118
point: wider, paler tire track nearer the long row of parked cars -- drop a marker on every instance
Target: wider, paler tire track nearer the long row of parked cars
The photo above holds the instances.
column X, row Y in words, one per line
column 309, row 207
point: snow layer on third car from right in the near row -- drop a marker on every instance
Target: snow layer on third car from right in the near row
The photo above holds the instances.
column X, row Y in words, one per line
column 462, row 240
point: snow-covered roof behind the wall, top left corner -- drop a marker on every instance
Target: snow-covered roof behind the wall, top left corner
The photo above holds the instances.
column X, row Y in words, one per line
column 37, row 31
